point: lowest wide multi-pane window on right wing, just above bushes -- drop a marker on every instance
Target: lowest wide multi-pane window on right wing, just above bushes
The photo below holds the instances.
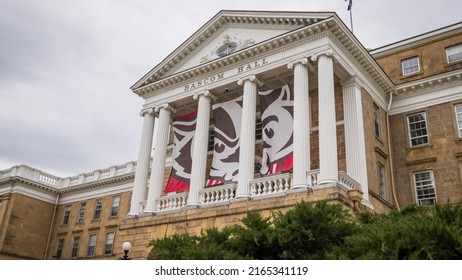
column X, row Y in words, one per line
column 425, row 188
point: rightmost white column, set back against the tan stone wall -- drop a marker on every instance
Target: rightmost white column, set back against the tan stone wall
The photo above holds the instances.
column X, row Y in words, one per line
column 355, row 143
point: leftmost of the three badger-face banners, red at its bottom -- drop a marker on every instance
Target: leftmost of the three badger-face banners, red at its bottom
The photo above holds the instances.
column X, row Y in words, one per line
column 183, row 132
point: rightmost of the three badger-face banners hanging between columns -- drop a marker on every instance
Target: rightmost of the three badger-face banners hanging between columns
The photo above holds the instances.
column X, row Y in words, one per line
column 277, row 116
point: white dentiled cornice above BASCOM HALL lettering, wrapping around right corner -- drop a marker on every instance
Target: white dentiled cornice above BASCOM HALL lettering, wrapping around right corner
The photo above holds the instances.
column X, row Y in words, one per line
column 331, row 26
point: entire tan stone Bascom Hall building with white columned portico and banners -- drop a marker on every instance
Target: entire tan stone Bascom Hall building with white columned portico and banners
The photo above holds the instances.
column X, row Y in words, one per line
column 257, row 111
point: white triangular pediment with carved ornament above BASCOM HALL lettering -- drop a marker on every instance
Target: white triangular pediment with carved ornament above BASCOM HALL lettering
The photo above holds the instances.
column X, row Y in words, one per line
column 228, row 32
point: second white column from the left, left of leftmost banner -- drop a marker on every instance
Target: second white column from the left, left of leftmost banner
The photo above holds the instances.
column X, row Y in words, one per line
column 160, row 154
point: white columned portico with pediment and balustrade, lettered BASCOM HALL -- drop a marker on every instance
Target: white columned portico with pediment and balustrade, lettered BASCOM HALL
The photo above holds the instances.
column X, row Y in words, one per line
column 314, row 55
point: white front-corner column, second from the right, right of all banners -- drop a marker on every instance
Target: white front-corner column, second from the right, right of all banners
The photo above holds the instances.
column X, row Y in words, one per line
column 328, row 165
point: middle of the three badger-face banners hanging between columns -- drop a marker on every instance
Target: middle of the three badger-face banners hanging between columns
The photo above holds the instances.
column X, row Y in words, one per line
column 227, row 122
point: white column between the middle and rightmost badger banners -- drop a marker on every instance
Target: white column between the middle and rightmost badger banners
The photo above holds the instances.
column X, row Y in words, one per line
column 247, row 136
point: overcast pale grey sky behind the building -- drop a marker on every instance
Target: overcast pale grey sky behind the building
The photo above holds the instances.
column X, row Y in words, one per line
column 66, row 66
